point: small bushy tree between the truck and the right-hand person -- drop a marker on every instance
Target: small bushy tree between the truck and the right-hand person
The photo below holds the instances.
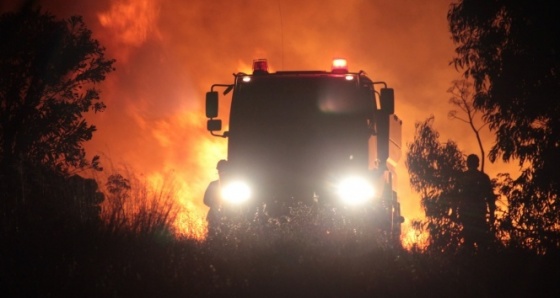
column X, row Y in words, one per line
column 433, row 168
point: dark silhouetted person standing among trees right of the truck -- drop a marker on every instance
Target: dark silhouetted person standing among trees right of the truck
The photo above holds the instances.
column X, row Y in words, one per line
column 476, row 200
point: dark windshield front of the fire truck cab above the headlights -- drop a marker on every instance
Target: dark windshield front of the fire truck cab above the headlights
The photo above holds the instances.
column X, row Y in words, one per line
column 297, row 129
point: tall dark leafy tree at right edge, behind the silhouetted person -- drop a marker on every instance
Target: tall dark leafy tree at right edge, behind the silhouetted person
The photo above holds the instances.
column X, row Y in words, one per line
column 511, row 51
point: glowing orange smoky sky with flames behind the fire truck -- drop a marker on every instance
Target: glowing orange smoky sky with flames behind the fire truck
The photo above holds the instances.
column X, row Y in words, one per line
column 170, row 52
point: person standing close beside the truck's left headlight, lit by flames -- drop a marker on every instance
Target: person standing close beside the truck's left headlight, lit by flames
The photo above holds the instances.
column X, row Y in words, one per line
column 212, row 199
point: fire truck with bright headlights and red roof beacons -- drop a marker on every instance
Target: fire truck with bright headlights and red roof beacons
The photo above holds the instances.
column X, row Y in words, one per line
column 314, row 137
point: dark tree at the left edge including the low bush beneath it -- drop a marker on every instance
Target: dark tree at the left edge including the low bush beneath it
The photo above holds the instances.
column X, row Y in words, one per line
column 50, row 69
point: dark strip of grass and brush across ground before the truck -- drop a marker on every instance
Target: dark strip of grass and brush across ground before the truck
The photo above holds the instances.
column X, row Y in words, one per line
column 96, row 263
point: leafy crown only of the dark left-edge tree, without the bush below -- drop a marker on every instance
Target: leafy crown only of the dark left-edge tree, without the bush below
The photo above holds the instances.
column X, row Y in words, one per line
column 49, row 70
